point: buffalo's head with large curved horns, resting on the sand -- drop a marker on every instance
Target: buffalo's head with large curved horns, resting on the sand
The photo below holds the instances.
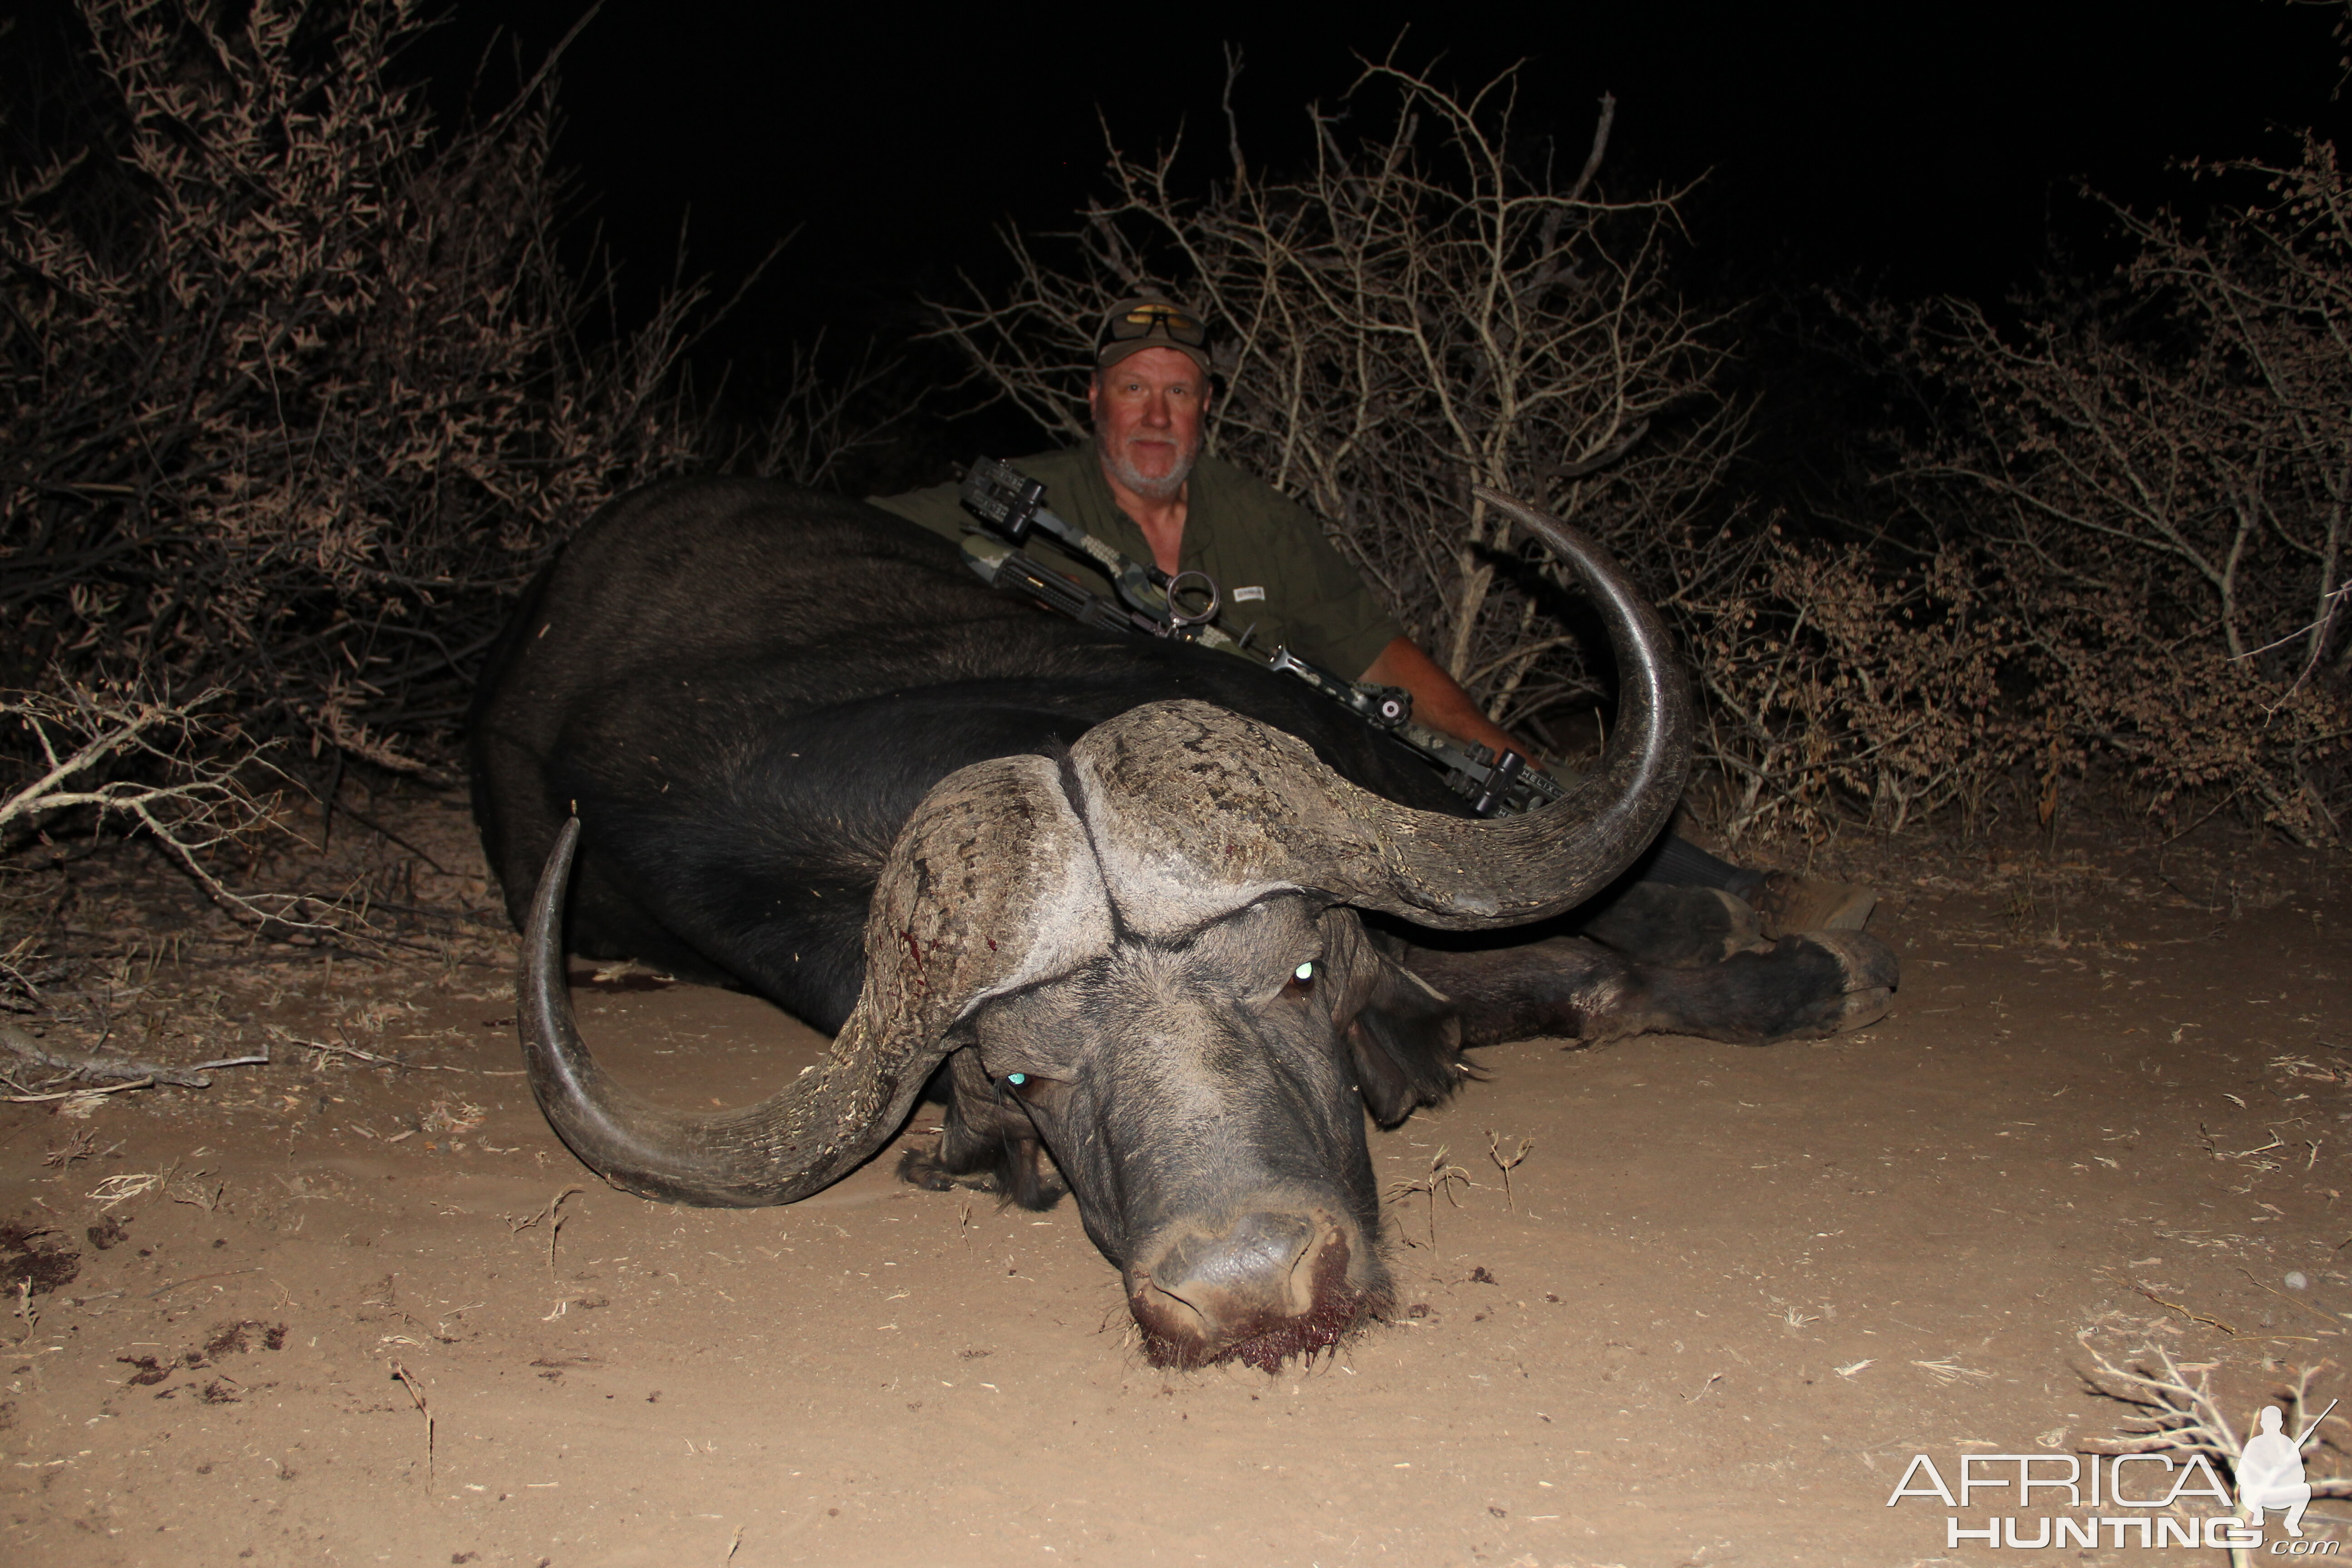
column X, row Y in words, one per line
column 1144, row 965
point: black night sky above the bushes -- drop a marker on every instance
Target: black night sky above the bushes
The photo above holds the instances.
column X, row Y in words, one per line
column 1916, row 147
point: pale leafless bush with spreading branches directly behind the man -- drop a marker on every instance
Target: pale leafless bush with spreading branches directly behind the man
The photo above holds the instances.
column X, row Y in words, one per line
column 1429, row 304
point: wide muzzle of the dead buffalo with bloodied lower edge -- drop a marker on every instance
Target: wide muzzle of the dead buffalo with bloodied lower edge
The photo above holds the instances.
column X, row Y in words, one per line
column 1271, row 1287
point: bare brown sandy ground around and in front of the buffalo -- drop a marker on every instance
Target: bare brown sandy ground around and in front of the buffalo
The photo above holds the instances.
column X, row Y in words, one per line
column 359, row 1306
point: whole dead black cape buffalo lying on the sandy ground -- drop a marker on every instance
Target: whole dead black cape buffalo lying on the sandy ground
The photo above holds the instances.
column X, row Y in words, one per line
column 1102, row 894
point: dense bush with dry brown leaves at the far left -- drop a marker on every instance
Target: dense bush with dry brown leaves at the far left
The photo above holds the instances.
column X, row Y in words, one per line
column 293, row 384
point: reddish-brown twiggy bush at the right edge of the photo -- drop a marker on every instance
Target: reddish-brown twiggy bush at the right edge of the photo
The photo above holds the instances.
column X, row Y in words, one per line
column 2156, row 483
